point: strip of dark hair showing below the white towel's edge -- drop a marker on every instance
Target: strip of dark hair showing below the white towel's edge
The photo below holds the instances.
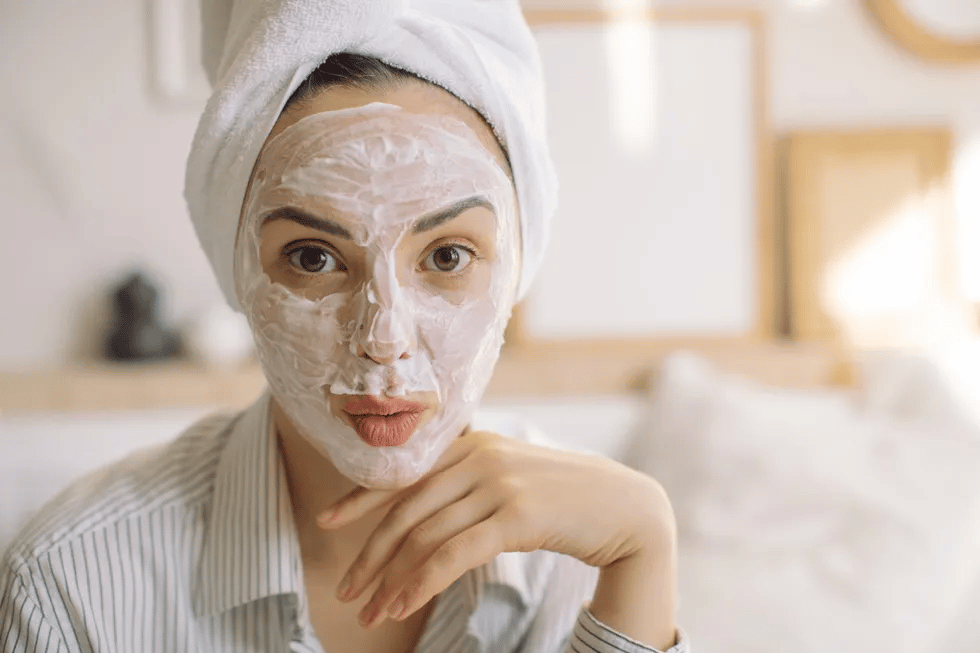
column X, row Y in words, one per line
column 352, row 71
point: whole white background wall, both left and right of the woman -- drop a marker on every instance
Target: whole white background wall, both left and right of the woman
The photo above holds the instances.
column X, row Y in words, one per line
column 91, row 167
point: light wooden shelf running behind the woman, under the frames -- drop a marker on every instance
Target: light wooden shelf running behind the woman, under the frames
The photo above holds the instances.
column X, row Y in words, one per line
column 538, row 370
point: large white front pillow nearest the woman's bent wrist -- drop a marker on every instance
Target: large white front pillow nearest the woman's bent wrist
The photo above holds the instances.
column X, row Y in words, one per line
column 807, row 523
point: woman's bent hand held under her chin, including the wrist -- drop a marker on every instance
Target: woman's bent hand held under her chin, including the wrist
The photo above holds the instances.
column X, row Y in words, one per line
column 489, row 494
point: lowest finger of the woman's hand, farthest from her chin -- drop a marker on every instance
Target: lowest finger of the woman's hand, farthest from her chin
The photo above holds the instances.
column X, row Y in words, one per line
column 469, row 549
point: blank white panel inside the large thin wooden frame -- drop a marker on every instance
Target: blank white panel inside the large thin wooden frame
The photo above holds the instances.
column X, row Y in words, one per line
column 682, row 260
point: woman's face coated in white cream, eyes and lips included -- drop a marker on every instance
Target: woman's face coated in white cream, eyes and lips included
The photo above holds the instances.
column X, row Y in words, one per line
column 377, row 262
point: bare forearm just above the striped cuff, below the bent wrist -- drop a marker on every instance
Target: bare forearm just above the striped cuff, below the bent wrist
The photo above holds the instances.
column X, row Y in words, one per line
column 636, row 595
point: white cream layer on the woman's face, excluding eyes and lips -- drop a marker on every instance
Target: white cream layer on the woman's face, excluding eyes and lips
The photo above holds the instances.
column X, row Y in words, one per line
column 384, row 168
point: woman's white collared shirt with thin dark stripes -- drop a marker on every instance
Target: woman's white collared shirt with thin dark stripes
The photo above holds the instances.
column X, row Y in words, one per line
column 191, row 547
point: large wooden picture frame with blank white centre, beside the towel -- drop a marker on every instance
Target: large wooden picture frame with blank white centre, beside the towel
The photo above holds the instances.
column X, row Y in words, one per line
column 752, row 261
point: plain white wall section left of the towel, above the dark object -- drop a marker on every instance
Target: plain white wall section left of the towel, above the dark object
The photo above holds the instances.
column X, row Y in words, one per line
column 91, row 175
